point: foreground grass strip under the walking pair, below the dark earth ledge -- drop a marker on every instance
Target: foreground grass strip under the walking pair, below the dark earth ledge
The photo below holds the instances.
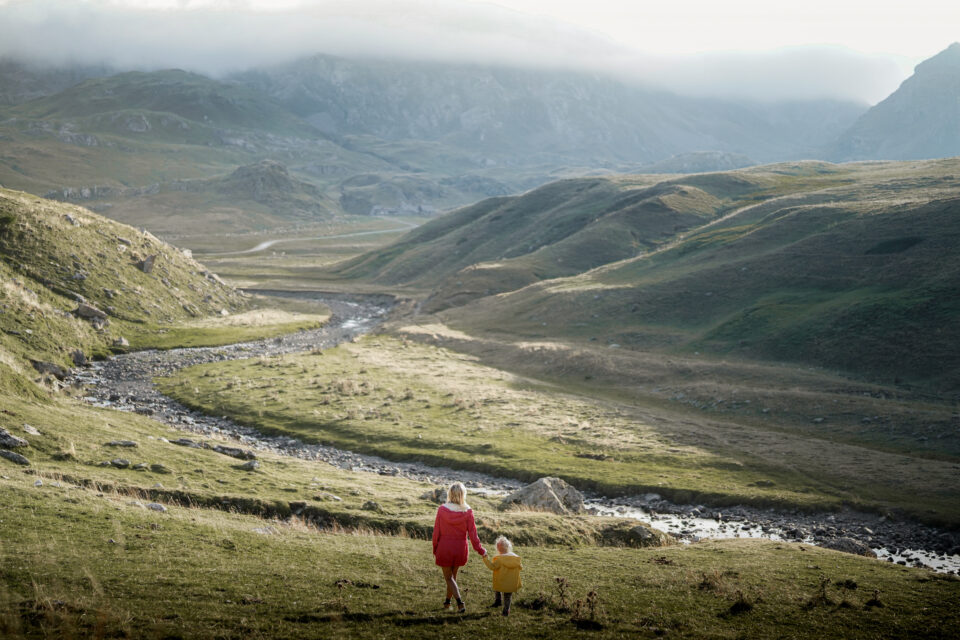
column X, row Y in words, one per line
column 81, row 564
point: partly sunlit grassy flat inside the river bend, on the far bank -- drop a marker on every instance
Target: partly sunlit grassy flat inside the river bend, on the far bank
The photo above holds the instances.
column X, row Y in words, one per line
column 405, row 401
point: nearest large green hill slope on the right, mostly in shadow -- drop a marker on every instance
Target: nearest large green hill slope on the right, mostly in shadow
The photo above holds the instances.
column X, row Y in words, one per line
column 861, row 277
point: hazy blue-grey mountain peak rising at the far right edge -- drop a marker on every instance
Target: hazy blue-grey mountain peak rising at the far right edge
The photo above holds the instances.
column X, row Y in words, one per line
column 919, row 120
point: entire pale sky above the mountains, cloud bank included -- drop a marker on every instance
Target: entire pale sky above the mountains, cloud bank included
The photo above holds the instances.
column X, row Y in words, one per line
column 763, row 49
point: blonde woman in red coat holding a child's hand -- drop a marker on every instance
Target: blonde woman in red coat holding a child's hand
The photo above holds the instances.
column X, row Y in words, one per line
column 454, row 523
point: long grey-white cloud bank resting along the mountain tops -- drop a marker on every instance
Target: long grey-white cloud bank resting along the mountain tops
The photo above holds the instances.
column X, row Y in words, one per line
column 218, row 37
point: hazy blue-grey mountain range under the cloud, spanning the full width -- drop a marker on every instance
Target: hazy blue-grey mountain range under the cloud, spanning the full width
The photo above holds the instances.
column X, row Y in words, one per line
column 405, row 137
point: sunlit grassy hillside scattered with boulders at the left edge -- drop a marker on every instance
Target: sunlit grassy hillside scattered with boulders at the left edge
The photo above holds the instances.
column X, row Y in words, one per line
column 73, row 280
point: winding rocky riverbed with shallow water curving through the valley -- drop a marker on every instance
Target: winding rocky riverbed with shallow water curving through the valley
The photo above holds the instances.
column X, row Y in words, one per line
column 125, row 382
